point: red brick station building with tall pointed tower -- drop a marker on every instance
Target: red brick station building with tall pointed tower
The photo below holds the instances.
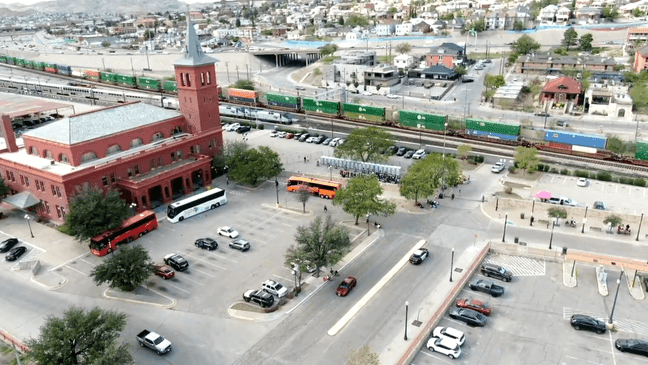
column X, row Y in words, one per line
column 151, row 155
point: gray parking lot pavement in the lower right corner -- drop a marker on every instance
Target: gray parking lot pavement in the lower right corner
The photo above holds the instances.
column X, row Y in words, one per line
column 531, row 320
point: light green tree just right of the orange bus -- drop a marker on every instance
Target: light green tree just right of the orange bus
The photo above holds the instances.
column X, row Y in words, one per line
column 360, row 197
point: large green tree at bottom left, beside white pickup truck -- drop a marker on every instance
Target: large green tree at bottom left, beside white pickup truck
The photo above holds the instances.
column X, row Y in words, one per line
column 80, row 337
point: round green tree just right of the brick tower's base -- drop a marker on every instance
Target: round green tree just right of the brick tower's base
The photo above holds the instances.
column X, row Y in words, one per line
column 251, row 165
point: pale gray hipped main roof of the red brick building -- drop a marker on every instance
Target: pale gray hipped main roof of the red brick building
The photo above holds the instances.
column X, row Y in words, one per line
column 105, row 122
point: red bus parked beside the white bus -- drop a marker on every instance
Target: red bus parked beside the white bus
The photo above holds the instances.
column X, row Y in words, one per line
column 131, row 229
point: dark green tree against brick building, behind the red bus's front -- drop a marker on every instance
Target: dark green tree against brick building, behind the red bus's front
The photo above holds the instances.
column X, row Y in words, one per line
column 92, row 212
